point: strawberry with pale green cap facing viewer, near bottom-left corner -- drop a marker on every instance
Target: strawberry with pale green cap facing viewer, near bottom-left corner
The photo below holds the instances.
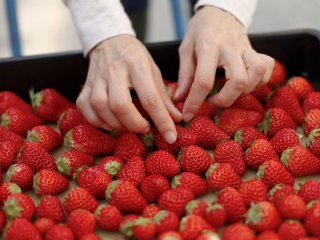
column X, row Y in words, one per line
column 19, row 205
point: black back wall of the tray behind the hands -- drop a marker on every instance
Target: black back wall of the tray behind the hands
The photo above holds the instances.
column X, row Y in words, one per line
column 66, row 72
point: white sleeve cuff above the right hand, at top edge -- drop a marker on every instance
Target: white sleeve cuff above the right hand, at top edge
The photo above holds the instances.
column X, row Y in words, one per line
column 242, row 9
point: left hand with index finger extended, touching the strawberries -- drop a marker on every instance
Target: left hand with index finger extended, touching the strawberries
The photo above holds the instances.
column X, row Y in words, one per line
column 117, row 65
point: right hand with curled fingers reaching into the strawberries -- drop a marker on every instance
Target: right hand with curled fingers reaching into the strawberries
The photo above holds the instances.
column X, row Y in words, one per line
column 215, row 38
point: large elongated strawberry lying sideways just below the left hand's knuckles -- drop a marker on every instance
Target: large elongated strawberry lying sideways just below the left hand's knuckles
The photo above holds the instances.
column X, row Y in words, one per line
column 88, row 139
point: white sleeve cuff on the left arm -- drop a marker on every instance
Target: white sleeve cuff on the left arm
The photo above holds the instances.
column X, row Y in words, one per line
column 97, row 20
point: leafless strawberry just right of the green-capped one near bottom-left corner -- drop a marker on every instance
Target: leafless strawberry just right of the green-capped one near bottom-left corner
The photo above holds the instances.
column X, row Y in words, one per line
column 50, row 207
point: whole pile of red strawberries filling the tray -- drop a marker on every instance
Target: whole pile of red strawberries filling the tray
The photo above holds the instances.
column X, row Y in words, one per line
column 237, row 173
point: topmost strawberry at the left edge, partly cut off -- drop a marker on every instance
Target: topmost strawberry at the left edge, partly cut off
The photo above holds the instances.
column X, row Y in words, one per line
column 9, row 99
